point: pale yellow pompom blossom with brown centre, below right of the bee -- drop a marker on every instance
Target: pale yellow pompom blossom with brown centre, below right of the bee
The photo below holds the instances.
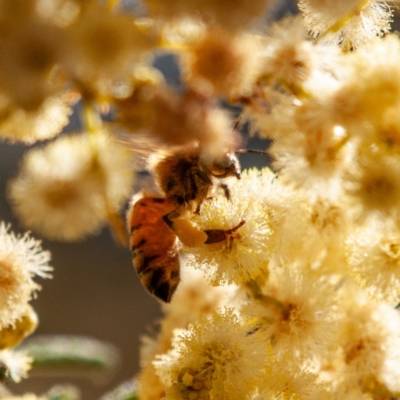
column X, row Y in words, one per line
column 297, row 312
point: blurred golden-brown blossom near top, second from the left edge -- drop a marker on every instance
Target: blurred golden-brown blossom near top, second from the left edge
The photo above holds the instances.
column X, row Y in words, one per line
column 104, row 45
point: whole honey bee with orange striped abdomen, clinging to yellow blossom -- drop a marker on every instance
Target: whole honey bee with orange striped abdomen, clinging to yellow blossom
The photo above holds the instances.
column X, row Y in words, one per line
column 186, row 181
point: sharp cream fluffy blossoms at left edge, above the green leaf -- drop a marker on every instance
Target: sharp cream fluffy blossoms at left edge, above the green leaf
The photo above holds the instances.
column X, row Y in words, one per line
column 21, row 260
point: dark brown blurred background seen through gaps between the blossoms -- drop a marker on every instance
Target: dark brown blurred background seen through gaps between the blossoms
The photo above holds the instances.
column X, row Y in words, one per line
column 95, row 290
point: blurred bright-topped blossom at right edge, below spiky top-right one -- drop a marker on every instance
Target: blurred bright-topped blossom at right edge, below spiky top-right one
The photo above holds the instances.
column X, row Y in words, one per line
column 370, row 89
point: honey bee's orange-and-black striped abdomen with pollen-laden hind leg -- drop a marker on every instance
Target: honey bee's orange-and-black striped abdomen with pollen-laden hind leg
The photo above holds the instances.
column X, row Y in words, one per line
column 154, row 243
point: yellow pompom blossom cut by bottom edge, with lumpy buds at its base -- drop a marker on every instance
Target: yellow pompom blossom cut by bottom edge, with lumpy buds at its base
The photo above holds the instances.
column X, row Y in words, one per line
column 217, row 358
